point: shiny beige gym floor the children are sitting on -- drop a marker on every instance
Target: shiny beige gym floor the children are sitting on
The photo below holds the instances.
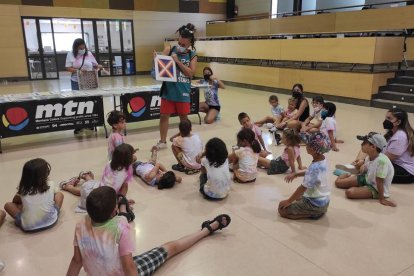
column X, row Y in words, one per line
column 359, row 237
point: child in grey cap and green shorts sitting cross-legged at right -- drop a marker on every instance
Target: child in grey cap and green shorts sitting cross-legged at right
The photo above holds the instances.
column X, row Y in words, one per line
column 376, row 172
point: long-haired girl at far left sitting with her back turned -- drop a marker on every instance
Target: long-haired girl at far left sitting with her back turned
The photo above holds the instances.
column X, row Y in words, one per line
column 37, row 204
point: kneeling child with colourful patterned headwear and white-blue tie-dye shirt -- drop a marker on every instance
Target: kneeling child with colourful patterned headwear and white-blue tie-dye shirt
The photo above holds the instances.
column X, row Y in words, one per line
column 311, row 199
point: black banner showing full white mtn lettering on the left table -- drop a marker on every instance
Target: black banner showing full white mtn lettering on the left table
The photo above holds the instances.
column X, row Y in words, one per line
column 40, row 116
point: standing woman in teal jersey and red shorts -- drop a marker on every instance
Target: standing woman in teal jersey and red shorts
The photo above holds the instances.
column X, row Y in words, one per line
column 175, row 97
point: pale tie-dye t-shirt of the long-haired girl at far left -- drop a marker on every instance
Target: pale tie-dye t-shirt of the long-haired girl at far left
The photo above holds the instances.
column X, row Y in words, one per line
column 39, row 210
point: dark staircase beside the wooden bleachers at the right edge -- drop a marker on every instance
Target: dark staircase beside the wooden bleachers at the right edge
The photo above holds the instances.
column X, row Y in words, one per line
column 399, row 92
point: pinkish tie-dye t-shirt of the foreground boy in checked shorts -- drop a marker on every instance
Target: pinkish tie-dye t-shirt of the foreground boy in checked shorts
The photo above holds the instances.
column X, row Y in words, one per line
column 102, row 245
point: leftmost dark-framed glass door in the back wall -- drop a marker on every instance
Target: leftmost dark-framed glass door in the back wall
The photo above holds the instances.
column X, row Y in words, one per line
column 40, row 48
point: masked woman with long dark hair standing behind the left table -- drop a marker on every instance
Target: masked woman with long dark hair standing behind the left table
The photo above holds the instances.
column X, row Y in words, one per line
column 79, row 59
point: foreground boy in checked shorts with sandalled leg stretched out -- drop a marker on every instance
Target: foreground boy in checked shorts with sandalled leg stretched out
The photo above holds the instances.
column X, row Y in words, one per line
column 103, row 244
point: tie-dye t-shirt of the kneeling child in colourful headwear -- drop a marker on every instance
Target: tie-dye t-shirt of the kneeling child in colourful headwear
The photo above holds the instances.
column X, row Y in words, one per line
column 317, row 183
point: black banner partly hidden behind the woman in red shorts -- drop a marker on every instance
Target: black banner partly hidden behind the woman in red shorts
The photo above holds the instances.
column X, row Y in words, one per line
column 141, row 106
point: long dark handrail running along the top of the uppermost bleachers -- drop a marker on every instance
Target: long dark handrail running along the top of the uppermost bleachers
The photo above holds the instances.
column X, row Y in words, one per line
column 295, row 13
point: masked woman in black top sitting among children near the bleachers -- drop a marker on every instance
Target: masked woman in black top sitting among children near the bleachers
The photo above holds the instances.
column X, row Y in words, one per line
column 302, row 105
